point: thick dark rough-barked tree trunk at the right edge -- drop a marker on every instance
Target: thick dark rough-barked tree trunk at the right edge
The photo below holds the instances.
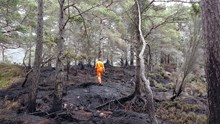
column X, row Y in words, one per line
column 211, row 31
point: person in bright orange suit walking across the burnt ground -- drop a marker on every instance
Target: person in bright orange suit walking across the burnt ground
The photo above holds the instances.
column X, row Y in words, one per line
column 100, row 69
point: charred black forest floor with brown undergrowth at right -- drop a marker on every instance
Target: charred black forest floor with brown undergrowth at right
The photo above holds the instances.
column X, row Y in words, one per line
column 83, row 95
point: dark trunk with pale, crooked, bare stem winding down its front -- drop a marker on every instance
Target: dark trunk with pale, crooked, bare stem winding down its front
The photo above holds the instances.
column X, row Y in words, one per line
column 142, row 84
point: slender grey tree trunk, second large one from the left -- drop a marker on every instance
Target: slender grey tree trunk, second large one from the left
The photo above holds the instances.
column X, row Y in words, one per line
column 58, row 93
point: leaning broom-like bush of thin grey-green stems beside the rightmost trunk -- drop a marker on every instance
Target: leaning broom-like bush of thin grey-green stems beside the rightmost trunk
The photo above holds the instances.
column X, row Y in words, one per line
column 190, row 56
